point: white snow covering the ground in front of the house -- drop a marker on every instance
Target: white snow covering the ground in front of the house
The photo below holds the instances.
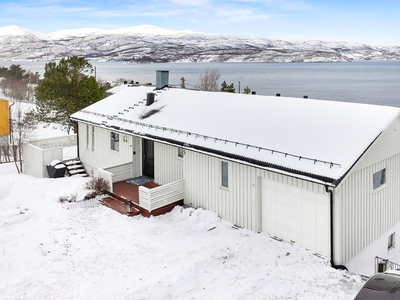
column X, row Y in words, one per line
column 50, row 250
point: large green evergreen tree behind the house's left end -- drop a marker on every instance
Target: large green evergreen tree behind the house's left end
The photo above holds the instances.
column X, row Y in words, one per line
column 67, row 87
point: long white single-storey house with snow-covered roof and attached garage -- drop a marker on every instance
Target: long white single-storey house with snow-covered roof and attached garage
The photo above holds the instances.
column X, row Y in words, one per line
column 322, row 174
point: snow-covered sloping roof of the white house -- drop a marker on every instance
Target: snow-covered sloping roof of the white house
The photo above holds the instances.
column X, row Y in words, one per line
column 313, row 138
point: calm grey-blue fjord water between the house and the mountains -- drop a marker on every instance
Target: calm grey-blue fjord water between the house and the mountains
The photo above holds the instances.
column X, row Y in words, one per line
column 373, row 82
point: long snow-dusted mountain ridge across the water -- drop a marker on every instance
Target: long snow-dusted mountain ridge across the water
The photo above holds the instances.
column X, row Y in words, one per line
column 145, row 44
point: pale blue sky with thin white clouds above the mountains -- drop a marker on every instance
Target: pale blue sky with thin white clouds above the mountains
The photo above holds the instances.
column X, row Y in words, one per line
column 371, row 22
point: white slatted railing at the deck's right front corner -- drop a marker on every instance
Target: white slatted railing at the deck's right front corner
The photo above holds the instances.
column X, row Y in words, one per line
column 160, row 196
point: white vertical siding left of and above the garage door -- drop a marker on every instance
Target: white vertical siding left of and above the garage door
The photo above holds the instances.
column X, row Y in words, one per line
column 240, row 203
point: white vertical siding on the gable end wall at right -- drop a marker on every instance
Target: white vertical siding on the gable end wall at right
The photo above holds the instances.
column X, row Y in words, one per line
column 362, row 214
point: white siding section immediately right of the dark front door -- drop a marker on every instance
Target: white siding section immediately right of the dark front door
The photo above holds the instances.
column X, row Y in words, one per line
column 168, row 167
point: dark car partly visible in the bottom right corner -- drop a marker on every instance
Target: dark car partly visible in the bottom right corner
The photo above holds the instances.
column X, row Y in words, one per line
column 381, row 286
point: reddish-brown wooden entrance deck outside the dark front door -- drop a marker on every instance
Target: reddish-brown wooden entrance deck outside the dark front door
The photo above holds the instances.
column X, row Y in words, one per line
column 125, row 194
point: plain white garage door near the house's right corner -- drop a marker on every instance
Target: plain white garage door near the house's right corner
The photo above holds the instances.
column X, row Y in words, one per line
column 296, row 214
